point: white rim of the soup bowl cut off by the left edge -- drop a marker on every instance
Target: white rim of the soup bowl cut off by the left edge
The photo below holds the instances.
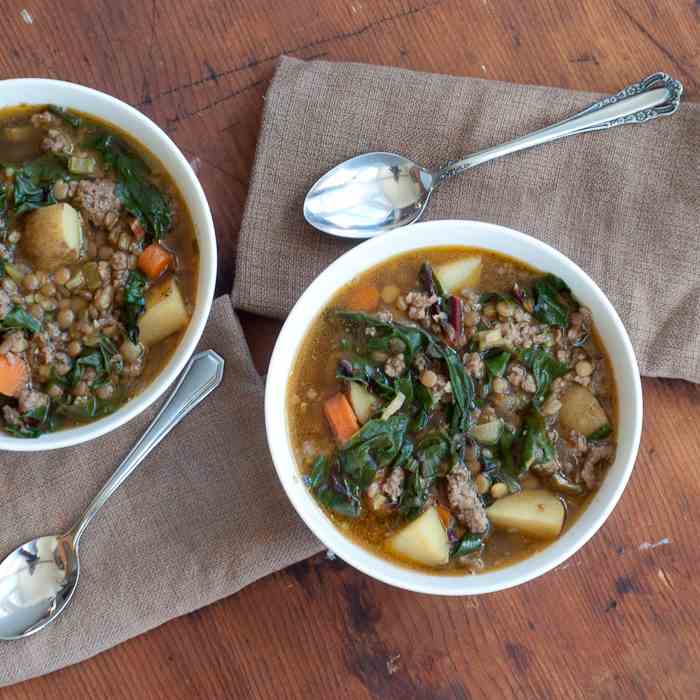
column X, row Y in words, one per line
column 119, row 112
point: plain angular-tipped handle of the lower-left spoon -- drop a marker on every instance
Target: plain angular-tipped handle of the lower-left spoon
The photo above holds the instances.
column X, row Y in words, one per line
column 201, row 376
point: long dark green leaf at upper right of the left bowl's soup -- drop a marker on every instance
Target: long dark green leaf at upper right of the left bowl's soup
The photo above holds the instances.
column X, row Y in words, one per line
column 138, row 194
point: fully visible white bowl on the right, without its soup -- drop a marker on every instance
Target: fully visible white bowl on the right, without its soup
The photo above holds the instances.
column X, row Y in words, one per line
column 501, row 240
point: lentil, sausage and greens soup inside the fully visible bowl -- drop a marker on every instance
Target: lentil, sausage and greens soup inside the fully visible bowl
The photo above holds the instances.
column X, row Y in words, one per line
column 453, row 410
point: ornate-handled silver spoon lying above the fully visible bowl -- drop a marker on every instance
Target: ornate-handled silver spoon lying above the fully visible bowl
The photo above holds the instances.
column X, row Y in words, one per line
column 376, row 192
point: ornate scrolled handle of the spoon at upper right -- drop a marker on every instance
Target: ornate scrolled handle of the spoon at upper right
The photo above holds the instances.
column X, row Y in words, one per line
column 656, row 96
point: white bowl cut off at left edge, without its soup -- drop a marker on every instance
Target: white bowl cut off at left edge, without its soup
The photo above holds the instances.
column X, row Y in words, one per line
column 40, row 92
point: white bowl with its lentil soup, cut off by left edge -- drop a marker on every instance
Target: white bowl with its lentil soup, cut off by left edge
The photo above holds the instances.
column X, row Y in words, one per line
column 107, row 263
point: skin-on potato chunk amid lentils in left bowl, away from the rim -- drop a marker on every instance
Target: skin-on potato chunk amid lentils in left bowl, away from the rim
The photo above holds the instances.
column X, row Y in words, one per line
column 53, row 236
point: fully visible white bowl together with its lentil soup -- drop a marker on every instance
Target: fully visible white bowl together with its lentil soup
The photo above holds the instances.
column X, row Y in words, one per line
column 453, row 408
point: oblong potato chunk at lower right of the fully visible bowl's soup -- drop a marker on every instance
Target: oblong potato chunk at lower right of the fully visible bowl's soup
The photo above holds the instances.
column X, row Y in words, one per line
column 536, row 513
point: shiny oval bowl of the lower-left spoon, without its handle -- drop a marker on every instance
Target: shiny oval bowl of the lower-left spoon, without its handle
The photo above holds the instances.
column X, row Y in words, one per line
column 37, row 581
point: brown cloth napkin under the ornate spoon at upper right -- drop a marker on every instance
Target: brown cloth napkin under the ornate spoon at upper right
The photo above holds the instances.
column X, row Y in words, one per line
column 624, row 204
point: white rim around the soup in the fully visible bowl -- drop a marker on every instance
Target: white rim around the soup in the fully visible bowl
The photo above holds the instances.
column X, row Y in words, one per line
column 409, row 238
